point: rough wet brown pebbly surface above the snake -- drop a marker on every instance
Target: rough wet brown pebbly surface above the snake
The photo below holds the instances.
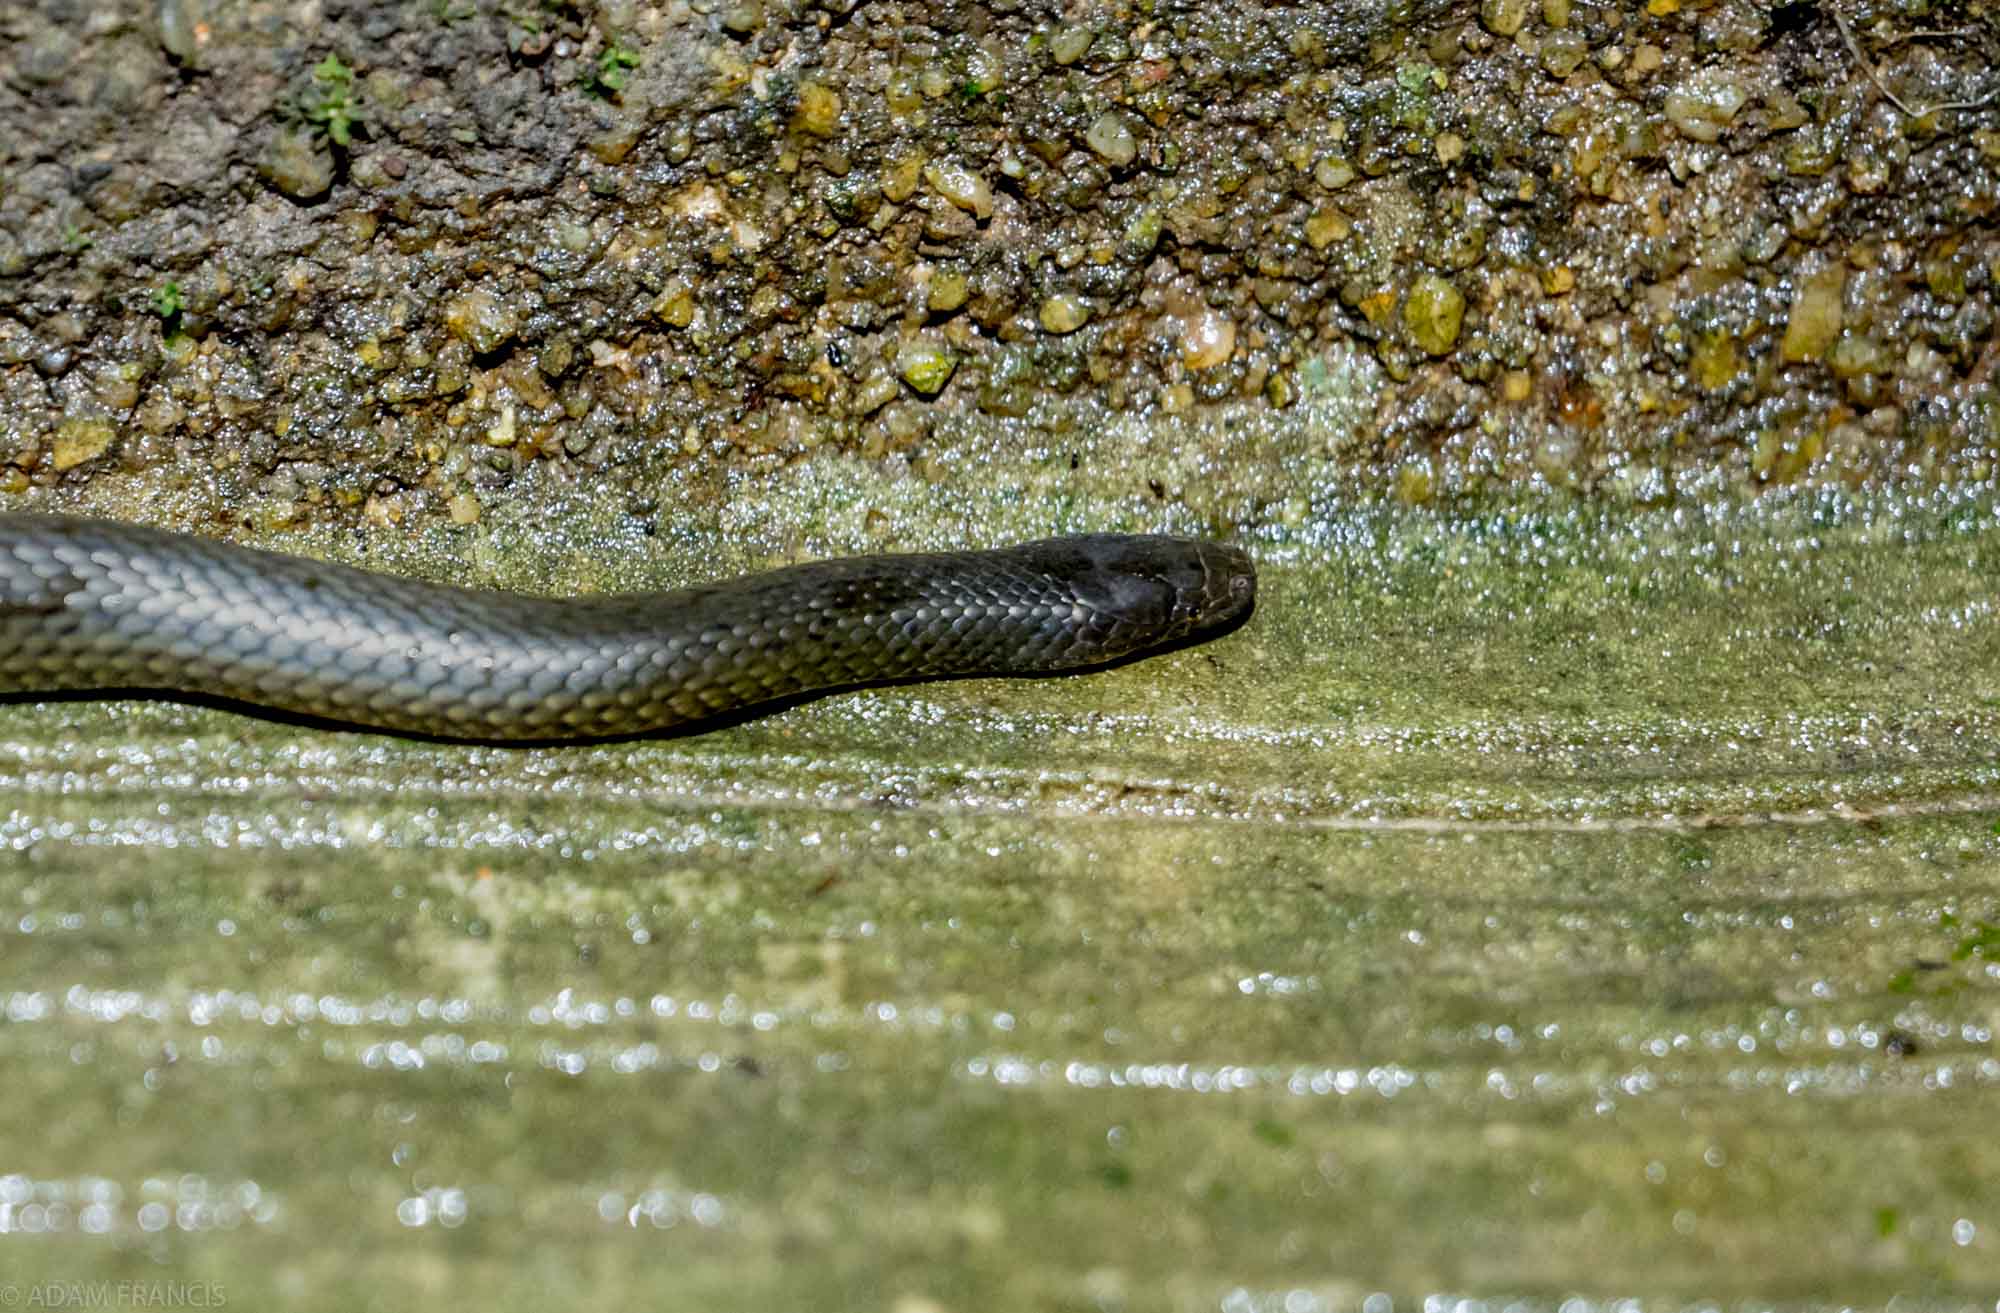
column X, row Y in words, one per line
column 417, row 249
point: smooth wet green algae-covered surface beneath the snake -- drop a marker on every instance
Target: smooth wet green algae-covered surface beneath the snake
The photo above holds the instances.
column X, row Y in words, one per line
column 1545, row 908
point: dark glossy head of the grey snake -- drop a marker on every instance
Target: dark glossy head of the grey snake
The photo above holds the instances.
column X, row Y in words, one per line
column 1153, row 591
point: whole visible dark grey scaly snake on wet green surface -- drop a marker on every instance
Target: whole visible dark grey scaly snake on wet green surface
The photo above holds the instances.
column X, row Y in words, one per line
column 109, row 609
